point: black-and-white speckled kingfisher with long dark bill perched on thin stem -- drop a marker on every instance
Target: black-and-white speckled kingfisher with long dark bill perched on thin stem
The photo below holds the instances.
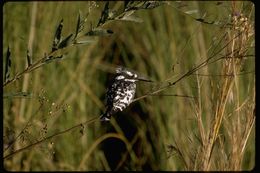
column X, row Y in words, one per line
column 121, row 92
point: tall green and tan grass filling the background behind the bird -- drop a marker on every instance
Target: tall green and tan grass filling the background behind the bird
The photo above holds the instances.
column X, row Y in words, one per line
column 199, row 114
